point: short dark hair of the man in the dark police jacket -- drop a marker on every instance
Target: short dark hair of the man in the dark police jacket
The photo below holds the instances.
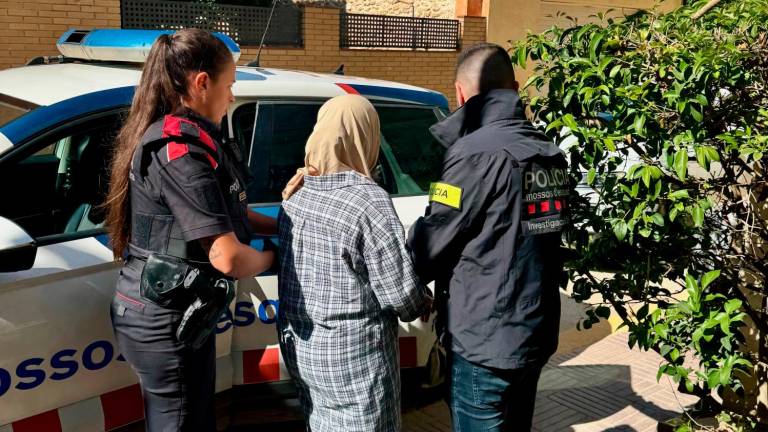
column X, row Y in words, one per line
column 486, row 64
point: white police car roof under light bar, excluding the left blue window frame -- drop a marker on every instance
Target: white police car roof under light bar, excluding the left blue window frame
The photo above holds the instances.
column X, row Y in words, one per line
column 49, row 84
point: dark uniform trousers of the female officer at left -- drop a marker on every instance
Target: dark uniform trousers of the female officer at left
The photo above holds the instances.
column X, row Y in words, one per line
column 177, row 383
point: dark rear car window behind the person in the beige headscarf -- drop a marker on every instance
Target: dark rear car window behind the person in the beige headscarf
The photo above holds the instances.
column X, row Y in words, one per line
column 409, row 160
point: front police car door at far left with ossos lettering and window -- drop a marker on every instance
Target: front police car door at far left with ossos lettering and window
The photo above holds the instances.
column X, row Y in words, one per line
column 55, row 330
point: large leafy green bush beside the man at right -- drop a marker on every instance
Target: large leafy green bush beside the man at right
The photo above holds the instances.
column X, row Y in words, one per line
column 689, row 99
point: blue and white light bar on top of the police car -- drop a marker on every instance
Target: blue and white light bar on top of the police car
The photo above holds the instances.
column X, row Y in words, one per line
column 119, row 45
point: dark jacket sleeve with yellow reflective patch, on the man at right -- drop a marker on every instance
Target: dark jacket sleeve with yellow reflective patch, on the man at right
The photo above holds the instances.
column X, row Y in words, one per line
column 438, row 239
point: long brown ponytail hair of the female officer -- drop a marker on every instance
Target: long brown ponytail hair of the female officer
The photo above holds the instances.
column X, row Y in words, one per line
column 164, row 80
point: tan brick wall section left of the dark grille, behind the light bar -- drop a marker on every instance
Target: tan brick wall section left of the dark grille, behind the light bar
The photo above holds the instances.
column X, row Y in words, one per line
column 30, row 28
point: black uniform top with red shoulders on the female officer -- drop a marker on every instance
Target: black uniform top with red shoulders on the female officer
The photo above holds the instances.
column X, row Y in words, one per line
column 185, row 186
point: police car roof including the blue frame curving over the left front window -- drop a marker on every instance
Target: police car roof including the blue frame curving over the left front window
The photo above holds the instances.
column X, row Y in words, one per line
column 60, row 92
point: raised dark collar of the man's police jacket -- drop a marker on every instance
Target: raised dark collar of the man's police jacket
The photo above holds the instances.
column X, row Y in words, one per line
column 480, row 110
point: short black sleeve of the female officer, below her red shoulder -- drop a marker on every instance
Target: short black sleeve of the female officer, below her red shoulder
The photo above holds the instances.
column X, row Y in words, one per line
column 192, row 193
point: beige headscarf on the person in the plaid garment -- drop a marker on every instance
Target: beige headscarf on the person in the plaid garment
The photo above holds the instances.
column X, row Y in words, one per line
column 346, row 137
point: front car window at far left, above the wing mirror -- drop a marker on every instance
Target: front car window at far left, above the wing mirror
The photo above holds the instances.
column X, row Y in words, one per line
column 61, row 181
